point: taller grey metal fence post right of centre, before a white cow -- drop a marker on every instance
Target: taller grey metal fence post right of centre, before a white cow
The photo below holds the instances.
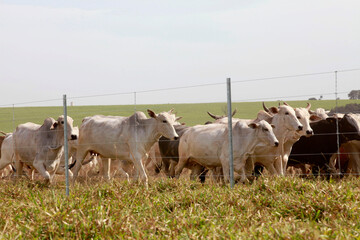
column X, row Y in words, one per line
column 231, row 157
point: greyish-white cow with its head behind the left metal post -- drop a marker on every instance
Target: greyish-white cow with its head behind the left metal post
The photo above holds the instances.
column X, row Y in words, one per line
column 41, row 146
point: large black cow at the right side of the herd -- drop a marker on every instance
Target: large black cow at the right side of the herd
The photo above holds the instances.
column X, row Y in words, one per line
column 317, row 149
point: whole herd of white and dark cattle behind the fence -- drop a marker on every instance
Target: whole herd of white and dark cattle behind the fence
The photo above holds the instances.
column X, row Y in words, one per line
column 282, row 140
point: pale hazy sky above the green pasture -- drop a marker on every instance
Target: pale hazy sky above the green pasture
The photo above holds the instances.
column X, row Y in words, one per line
column 151, row 52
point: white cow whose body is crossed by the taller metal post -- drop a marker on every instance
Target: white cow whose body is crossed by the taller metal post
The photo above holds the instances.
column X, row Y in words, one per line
column 208, row 145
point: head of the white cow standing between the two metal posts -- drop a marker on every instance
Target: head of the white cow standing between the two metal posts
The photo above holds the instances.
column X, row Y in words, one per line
column 165, row 123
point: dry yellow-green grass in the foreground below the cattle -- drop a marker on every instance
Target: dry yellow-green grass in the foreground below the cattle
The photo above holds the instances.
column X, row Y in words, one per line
column 269, row 208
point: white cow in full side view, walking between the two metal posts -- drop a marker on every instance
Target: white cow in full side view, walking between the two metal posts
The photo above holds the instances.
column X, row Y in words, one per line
column 125, row 138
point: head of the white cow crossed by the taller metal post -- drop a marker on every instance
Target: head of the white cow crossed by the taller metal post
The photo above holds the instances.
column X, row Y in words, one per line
column 265, row 133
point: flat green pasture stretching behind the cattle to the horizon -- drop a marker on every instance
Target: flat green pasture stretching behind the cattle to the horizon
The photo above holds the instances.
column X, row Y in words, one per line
column 194, row 113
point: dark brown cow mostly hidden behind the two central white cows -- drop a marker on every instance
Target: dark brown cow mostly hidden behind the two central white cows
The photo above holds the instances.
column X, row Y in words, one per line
column 169, row 150
